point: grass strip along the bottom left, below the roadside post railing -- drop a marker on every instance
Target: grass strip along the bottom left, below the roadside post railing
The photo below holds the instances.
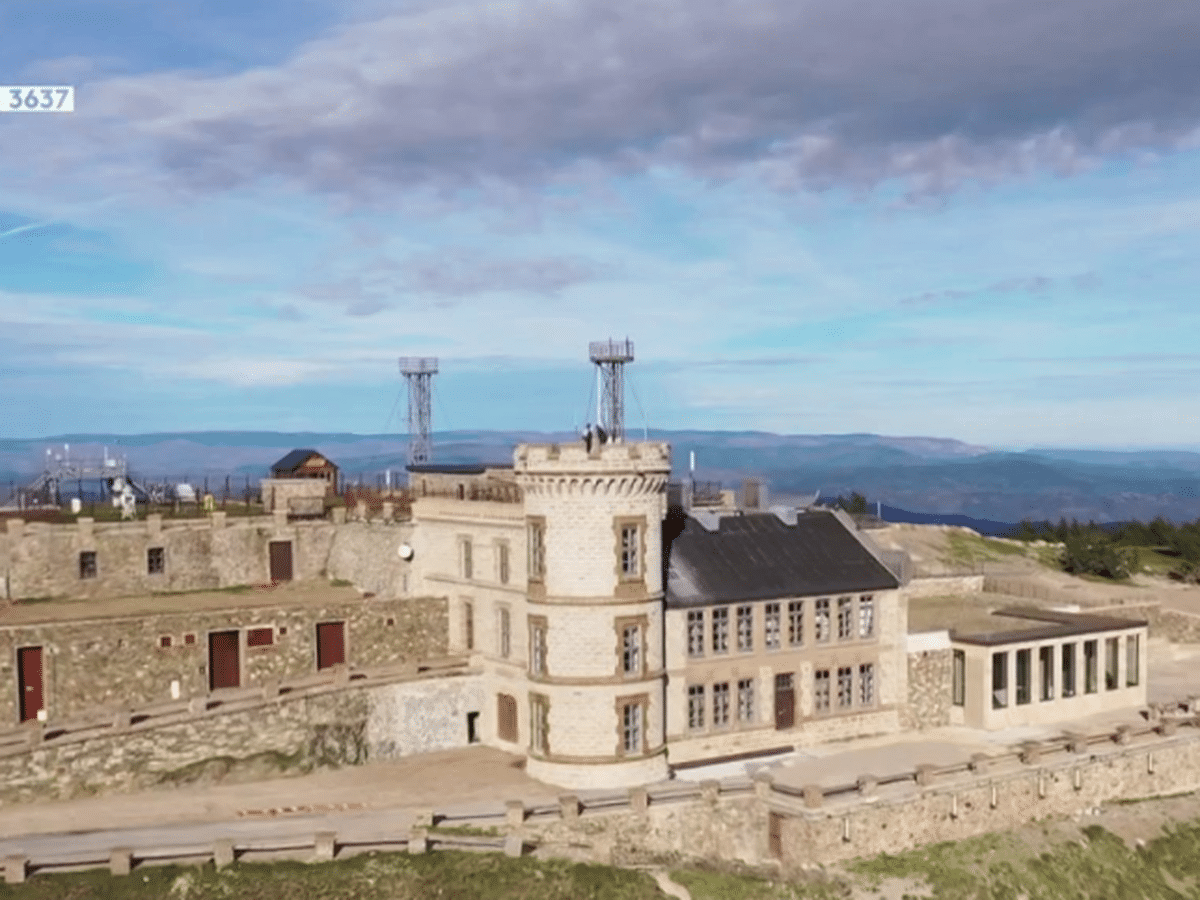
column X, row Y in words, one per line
column 376, row 877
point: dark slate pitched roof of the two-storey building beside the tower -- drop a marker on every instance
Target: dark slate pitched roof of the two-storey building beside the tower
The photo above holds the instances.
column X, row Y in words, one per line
column 759, row 557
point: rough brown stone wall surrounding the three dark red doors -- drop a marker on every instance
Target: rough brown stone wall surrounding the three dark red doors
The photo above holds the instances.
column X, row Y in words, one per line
column 103, row 663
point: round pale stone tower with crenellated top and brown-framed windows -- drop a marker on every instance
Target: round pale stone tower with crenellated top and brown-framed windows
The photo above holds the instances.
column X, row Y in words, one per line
column 596, row 675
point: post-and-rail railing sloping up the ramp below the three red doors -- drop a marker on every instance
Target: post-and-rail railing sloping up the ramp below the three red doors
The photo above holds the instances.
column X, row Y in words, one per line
column 106, row 722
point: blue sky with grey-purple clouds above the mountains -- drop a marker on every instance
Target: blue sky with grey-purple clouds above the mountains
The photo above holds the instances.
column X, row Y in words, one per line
column 977, row 221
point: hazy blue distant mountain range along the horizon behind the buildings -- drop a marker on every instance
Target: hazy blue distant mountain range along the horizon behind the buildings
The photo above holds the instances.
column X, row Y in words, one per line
column 939, row 477
